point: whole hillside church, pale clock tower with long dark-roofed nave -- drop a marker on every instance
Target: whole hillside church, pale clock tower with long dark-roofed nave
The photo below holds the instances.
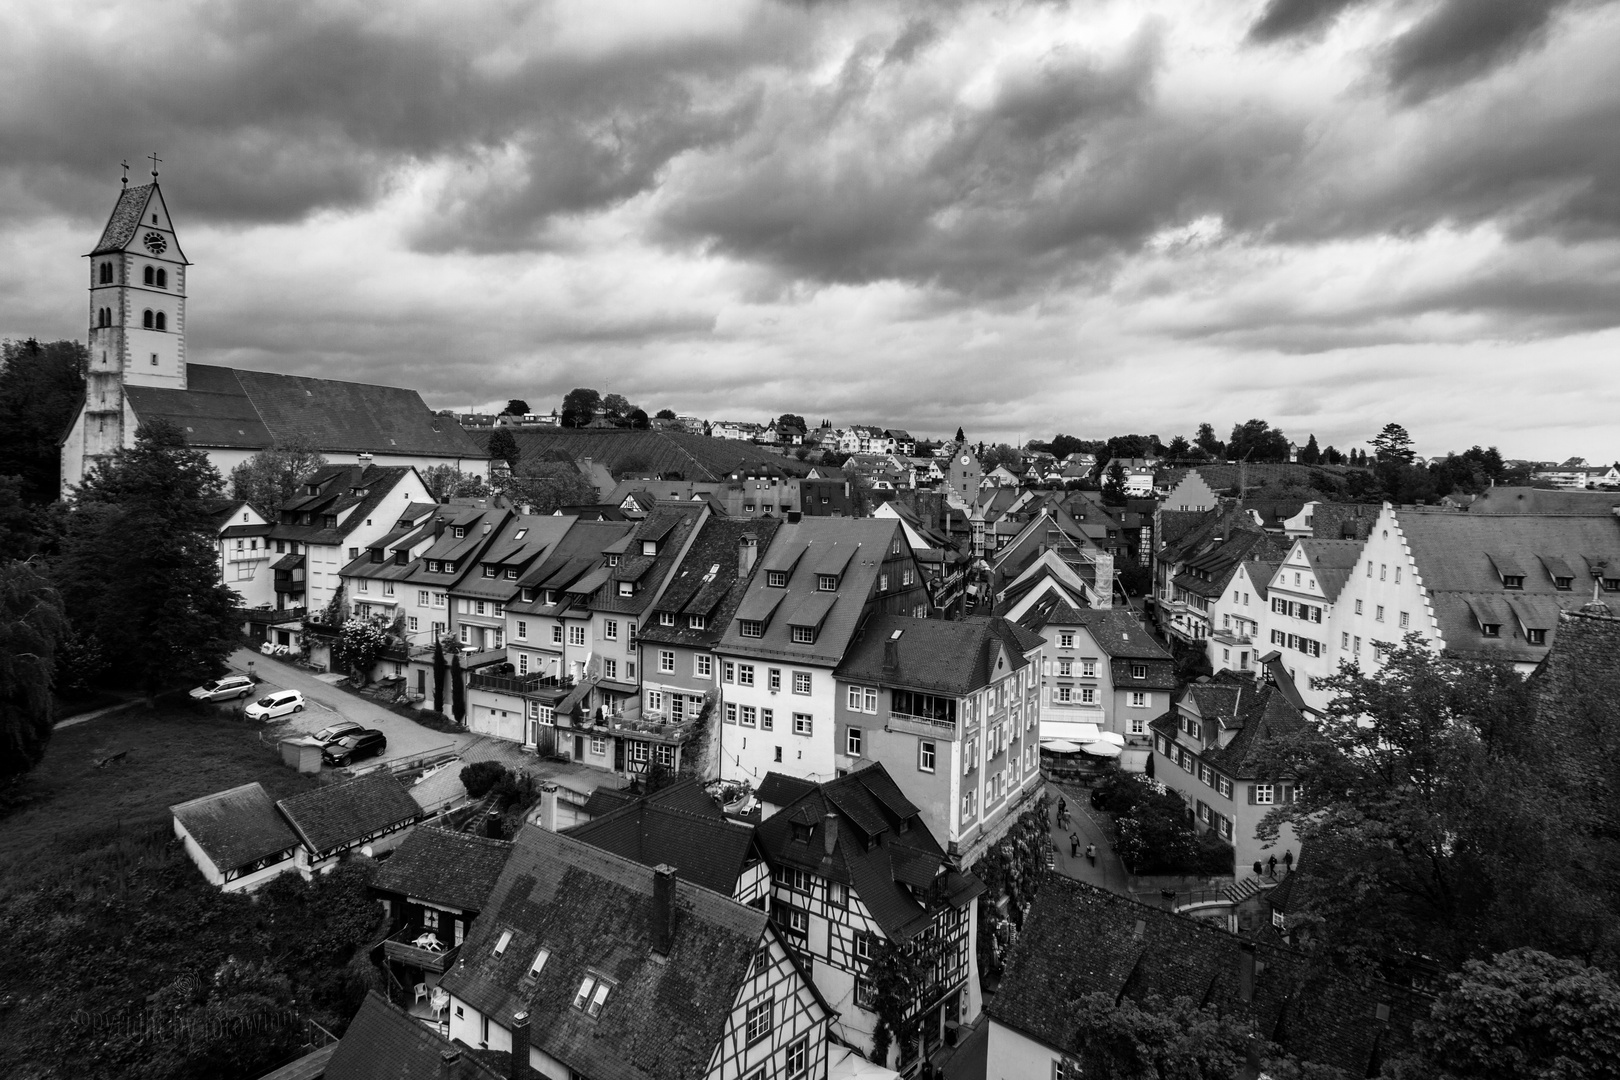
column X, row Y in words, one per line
column 139, row 373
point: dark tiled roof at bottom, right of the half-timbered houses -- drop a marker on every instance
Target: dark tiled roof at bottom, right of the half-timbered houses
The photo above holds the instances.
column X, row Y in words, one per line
column 1086, row 940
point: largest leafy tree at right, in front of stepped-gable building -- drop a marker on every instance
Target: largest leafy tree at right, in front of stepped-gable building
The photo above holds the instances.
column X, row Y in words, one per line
column 1454, row 831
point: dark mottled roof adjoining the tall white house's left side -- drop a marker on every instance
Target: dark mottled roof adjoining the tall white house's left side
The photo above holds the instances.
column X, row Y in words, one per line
column 709, row 582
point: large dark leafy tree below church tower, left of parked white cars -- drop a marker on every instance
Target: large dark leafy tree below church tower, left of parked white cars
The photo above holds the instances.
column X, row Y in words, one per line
column 139, row 564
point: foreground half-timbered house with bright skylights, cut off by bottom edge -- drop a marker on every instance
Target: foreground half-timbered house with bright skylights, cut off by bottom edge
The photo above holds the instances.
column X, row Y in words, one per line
column 602, row 967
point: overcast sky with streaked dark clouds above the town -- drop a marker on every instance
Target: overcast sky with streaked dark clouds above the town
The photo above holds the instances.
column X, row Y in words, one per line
column 1094, row 218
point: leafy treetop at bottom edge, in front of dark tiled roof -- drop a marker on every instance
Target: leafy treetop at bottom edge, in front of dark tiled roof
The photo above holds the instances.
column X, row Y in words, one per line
column 1157, row 1039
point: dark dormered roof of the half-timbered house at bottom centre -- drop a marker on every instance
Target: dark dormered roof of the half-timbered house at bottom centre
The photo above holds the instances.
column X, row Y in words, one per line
column 902, row 877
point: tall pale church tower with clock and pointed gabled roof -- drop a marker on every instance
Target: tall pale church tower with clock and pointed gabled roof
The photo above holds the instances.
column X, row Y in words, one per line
column 139, row 317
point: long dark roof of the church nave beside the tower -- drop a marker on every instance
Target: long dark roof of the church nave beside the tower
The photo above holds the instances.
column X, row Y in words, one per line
column 231, row 407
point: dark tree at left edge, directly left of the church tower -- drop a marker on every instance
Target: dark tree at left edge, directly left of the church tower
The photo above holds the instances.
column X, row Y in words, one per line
column 40, row 391
